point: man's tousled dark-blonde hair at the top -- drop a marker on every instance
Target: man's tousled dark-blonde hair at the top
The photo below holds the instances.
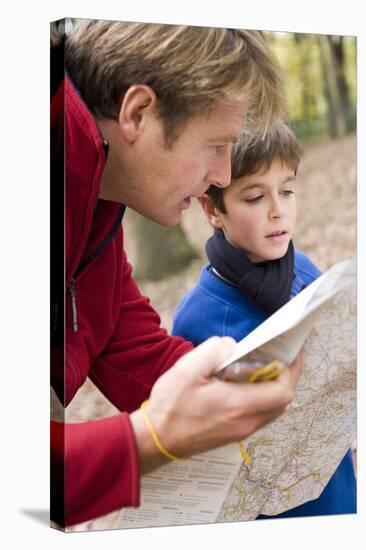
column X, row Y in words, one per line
column 189, row 68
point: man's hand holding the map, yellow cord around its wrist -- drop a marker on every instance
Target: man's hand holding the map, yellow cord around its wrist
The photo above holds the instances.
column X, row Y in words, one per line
column 193, row 411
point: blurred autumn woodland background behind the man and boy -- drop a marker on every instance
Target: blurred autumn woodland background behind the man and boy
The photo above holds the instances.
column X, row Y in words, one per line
column 321, row 92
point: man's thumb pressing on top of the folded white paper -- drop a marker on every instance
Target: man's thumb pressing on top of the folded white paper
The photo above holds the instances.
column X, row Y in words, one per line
column 209, row 355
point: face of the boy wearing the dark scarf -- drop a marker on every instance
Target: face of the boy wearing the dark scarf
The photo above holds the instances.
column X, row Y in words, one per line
column 260, row 212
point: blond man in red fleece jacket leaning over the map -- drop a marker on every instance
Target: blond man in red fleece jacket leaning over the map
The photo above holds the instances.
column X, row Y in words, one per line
column 148, row 114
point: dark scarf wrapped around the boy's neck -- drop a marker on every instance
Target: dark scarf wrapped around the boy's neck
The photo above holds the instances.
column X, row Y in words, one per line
column 267, row 284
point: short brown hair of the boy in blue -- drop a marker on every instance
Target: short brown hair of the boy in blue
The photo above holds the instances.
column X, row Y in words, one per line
column 255, row 152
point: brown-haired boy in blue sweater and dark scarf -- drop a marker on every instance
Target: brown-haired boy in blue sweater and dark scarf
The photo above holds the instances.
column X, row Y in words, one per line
column 253, row 268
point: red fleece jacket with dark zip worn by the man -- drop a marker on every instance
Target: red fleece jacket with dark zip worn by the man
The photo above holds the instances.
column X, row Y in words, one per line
column 118, row 341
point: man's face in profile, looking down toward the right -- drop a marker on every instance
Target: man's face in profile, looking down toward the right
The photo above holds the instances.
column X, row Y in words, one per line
column 159, row 181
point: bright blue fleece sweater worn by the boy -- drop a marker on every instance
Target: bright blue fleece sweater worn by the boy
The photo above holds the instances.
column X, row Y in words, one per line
column 215, row 308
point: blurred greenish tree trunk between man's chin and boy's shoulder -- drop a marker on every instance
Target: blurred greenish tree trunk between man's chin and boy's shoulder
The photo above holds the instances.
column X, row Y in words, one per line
column 161, row 251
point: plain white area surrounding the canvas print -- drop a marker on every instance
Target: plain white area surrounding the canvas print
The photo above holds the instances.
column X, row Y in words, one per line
column 25, row 270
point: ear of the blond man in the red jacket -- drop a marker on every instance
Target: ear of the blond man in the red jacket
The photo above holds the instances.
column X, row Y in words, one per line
column 139, row 101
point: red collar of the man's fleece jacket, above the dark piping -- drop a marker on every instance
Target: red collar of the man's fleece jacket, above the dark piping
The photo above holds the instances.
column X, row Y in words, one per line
column 86, row 222
